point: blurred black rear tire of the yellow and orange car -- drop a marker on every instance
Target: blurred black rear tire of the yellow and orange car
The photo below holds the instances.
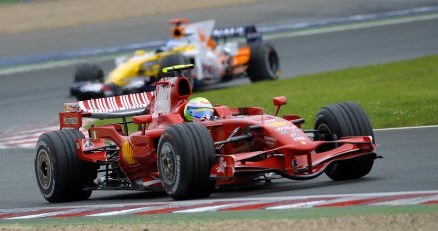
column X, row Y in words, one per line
column 264, row 63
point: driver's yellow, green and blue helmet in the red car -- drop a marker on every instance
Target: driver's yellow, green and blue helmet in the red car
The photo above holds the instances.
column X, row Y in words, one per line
column 198, row 108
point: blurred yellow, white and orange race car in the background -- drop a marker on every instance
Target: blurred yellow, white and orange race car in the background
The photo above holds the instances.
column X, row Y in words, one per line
column 216, row 59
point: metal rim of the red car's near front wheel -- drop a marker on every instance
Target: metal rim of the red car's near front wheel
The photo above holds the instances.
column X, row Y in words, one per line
column 167, row 160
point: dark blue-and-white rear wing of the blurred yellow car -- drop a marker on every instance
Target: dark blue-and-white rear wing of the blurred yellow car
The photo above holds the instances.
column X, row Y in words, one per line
column 249, row 32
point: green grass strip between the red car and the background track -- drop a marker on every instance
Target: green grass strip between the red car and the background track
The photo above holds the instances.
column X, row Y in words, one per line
column 397, row 94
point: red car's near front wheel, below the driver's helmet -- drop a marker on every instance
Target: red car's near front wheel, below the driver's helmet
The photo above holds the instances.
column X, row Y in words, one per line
column 185, row 156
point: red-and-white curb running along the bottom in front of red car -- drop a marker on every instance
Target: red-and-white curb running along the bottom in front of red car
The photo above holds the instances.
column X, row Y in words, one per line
column 196, row 206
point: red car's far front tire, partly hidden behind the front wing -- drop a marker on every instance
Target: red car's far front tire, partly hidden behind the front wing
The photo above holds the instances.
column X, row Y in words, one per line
column 341, row 120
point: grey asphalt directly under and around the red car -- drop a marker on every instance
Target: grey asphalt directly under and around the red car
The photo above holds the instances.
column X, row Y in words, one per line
column 408, row 164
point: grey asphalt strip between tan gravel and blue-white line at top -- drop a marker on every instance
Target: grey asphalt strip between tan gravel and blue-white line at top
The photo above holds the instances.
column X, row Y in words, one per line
column 153, row 28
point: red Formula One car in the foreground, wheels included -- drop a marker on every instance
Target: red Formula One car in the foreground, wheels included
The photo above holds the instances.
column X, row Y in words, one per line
column 190, row 159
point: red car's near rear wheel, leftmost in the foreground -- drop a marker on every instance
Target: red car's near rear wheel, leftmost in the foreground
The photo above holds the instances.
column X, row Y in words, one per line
column 61, row 175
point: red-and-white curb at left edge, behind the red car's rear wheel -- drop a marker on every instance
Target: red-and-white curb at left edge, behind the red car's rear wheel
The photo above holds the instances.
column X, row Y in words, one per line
column 26, row 136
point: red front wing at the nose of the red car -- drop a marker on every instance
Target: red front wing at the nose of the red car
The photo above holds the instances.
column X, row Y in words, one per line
column 292, row 161
